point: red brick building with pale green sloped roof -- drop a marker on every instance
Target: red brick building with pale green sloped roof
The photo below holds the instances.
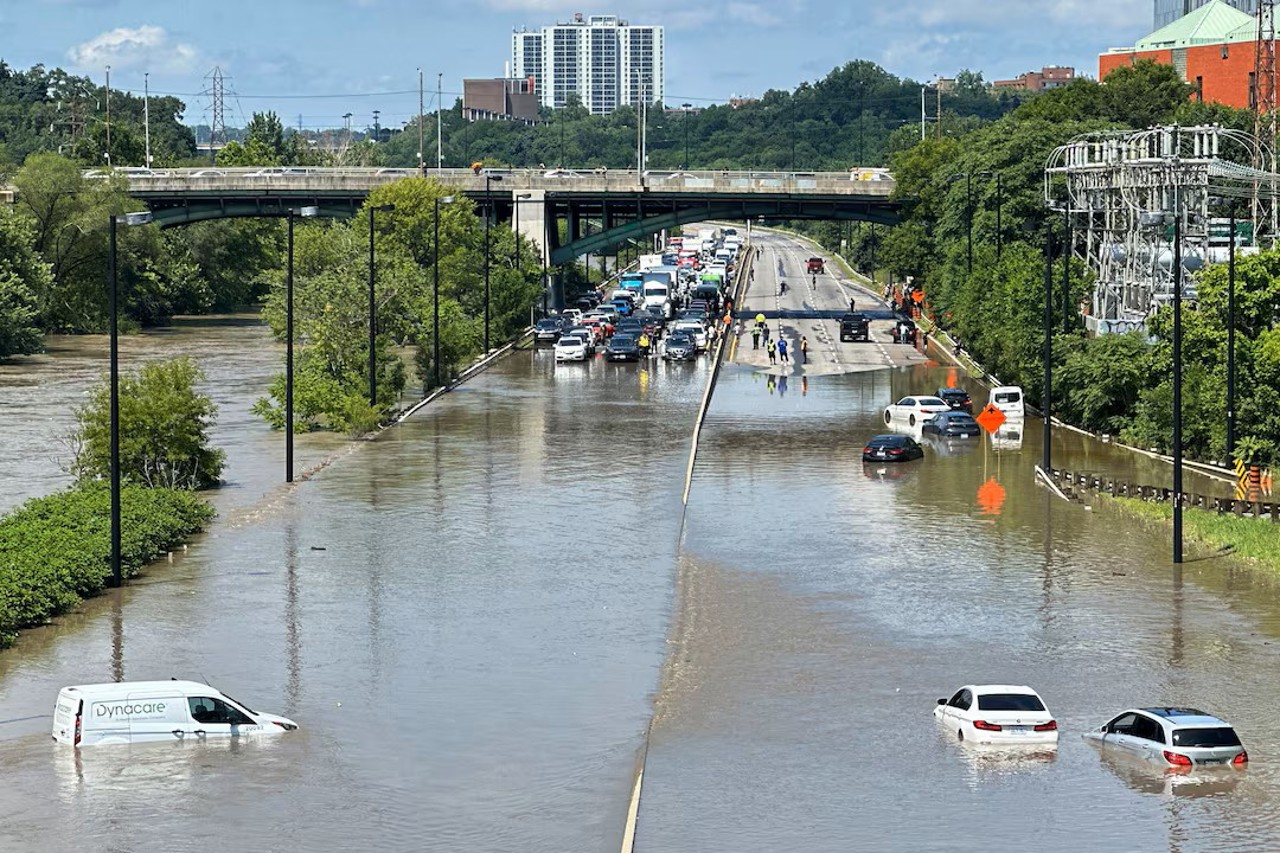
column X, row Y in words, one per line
column 1214, row 49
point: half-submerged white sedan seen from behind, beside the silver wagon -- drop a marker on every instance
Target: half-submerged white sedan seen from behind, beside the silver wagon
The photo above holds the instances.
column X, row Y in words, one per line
column 1000, row 714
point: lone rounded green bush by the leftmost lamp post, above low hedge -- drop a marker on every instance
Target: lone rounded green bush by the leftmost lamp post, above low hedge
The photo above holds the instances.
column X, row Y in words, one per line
column 164, row 430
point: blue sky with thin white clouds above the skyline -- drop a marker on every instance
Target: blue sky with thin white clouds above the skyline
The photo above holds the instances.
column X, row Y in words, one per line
column 323, row 58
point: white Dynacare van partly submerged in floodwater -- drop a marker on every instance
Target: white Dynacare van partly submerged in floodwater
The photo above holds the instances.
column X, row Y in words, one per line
column 154, row 711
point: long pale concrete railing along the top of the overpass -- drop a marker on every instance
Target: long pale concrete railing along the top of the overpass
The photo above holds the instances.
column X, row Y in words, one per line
column 303, row 179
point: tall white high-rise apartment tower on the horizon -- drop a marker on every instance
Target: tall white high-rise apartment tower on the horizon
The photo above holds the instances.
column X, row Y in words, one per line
column 604, row 61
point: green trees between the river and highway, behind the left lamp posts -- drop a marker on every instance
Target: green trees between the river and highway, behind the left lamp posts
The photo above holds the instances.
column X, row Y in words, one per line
column 332, row 303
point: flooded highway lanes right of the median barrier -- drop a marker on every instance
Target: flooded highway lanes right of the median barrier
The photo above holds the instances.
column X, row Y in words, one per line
column 825, row 606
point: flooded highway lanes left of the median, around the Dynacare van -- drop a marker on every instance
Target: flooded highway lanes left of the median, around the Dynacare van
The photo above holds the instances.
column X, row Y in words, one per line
column 468, row 618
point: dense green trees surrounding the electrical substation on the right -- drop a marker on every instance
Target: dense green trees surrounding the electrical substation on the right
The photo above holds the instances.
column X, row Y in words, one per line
column 1119, row 385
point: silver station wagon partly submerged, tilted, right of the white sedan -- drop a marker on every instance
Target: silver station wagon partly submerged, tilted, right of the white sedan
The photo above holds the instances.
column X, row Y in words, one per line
column 1173, row 737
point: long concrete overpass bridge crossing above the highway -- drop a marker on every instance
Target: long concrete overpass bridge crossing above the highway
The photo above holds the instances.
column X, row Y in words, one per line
column 568, row 213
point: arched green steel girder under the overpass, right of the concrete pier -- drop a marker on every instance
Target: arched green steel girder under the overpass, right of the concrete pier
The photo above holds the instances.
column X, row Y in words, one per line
column 598, row 243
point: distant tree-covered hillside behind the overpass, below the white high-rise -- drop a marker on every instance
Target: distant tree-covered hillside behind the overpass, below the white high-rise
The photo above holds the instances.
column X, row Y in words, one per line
column 852, row 117
